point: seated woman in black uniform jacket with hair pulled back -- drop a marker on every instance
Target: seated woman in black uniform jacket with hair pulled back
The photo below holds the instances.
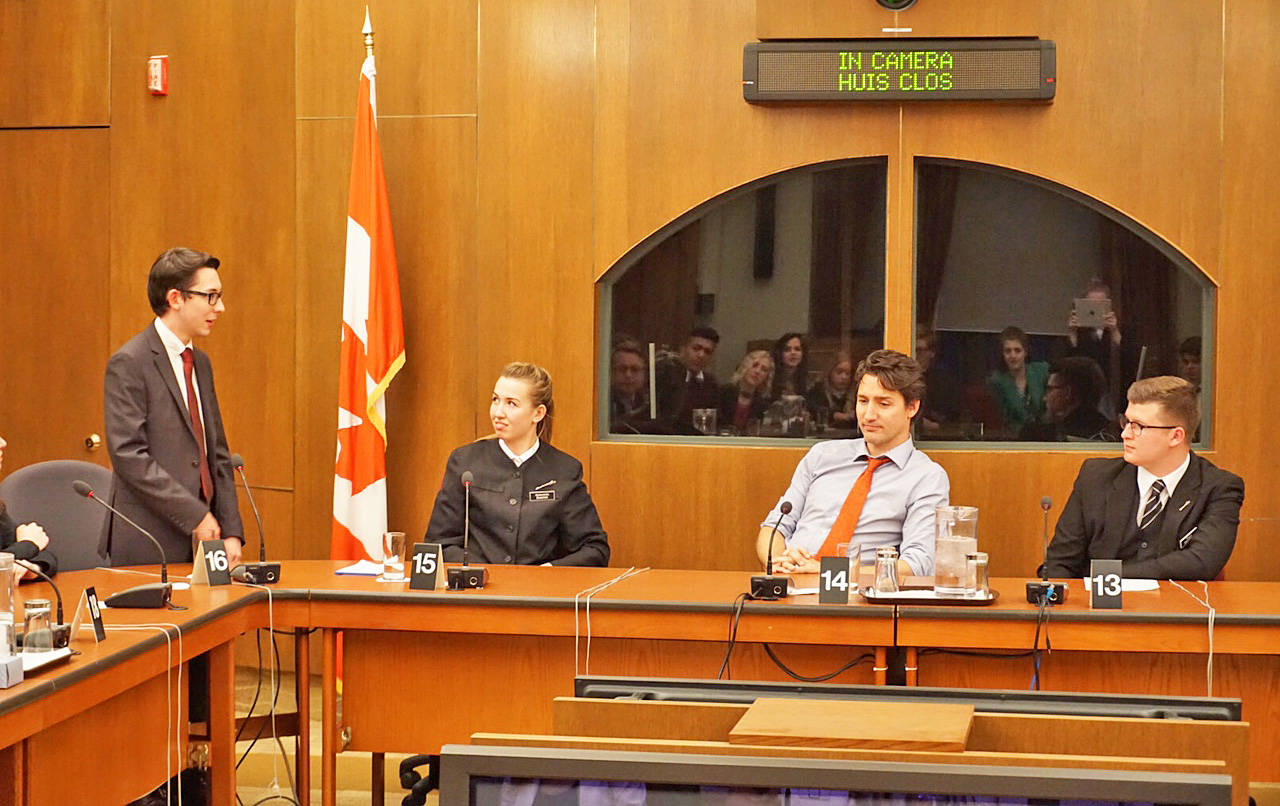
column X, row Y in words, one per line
column 529, row 503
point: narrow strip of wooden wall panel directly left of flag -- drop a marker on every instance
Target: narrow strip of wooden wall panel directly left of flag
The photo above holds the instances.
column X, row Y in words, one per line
column 323, row 175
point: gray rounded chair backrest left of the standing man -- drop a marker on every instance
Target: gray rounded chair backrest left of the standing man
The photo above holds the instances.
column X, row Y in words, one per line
column 43, row 493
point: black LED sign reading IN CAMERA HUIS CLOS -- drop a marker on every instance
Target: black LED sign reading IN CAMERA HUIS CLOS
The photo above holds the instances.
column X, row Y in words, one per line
column 900, row 71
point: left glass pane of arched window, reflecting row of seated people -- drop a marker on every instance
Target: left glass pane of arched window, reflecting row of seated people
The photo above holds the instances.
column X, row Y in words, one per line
column 693, row 319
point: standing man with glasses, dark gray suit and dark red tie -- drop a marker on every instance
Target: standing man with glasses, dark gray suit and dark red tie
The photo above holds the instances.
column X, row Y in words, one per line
column 164, row 433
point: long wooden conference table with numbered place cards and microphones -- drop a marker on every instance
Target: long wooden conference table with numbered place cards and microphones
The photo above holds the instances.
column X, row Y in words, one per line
column 493, row 660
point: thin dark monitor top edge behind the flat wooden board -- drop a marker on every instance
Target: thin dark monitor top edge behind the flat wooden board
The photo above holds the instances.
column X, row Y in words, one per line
column 984, row 700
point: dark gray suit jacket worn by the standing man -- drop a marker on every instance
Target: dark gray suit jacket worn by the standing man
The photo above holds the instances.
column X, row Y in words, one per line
column 157, row 459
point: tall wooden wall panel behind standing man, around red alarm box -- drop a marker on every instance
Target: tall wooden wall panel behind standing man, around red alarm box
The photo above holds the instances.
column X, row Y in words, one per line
column 212, row 167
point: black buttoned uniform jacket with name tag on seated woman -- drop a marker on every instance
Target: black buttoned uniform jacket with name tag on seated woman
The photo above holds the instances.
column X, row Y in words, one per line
column 531, row 515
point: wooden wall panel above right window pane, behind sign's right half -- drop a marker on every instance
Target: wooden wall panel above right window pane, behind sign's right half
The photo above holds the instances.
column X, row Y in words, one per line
column 1151, row 154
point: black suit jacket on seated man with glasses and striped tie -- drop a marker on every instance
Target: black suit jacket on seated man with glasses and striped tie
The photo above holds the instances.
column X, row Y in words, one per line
column 1099, row 523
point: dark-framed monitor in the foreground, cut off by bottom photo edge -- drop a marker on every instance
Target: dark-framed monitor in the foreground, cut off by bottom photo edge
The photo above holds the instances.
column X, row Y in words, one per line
column 483, row 776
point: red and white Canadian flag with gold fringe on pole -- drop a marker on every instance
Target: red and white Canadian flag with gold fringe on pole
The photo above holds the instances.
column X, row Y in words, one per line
column 373, row 345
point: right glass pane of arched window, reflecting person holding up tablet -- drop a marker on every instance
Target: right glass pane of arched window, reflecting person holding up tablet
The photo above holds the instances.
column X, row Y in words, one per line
column 1037, row 306
